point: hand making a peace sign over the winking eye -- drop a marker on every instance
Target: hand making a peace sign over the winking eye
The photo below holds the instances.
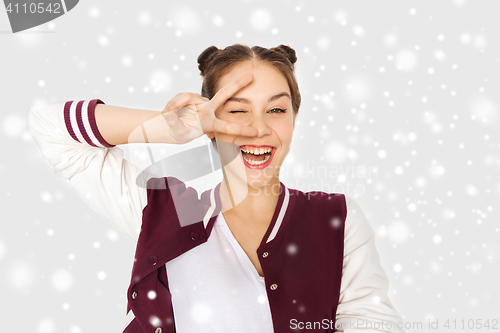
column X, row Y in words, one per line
column 189, row 115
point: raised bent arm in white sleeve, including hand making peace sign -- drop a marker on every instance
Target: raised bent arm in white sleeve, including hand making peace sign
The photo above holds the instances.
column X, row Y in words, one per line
column 78, row 139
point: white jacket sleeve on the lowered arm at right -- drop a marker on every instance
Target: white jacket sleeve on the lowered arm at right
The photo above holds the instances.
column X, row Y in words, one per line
column 364, row 305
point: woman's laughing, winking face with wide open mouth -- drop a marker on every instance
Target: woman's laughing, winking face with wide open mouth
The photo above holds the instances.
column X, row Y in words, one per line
column 266, row 105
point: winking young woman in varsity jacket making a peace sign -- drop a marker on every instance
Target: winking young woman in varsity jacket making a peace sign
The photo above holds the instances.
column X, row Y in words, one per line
column 249, row 255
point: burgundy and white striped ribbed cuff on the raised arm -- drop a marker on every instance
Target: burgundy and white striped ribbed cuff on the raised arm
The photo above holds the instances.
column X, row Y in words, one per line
column 80, row 122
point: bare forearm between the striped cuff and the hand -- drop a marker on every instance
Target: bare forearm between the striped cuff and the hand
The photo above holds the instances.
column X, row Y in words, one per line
column 120, row 125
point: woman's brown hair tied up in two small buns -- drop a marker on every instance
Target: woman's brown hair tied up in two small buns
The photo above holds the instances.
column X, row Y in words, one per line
column 214, row 63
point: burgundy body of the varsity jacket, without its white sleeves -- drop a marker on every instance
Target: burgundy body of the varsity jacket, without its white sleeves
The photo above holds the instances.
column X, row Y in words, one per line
column 302, row 284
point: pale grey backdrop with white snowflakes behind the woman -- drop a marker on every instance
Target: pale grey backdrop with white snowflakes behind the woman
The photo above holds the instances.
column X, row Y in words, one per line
column 403, row 93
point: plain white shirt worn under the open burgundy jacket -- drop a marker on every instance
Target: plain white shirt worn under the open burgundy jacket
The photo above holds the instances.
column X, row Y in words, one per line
column 236, row 300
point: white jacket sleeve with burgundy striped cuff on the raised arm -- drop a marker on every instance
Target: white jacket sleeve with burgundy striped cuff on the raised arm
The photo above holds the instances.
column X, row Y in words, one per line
column 67, row 136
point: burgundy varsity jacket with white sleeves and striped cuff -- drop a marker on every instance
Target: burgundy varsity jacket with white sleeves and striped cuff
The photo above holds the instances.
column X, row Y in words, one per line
column 335, row 279
